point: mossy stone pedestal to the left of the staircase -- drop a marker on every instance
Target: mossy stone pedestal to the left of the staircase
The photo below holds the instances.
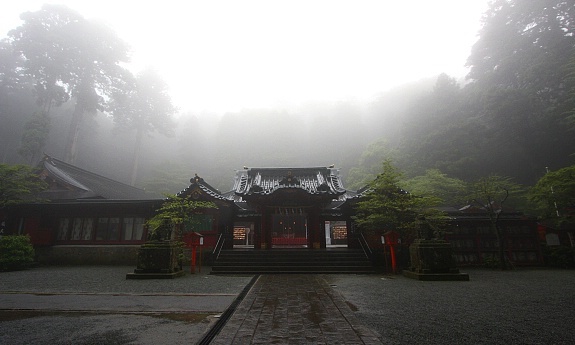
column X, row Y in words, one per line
column 158, row 260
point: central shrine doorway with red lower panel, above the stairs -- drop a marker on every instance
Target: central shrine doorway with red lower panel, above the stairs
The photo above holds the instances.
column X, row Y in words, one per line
column 289, row 230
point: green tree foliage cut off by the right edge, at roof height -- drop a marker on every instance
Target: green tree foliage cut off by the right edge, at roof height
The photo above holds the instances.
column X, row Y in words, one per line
column 554, row 195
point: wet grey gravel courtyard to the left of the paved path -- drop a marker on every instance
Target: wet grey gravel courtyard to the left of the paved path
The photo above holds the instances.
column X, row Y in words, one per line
column 81, row 288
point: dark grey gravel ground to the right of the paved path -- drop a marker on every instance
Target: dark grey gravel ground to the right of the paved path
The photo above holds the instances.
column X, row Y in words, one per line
column 494, row 307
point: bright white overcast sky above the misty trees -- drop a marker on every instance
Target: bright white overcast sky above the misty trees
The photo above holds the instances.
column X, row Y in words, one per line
column 227, row 55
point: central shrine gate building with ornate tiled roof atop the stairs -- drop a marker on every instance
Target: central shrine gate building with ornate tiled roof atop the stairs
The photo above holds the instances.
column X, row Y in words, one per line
column 281, row 207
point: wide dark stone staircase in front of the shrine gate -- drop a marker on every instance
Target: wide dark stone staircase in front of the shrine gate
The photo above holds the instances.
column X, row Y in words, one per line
column 337, row 260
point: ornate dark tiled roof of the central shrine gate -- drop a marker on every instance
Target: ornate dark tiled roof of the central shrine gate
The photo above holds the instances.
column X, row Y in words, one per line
column 263, row 181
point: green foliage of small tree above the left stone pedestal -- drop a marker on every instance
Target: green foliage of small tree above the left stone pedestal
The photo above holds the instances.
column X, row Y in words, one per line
column 174, row 212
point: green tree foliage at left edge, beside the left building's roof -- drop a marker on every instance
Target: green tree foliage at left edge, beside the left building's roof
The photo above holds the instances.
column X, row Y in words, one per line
column 18, row 183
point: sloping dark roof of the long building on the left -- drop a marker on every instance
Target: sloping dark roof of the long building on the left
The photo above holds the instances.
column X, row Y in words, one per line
column 69, row 182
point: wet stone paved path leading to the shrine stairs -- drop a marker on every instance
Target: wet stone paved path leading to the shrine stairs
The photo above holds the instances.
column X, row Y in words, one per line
column 293, row 309
